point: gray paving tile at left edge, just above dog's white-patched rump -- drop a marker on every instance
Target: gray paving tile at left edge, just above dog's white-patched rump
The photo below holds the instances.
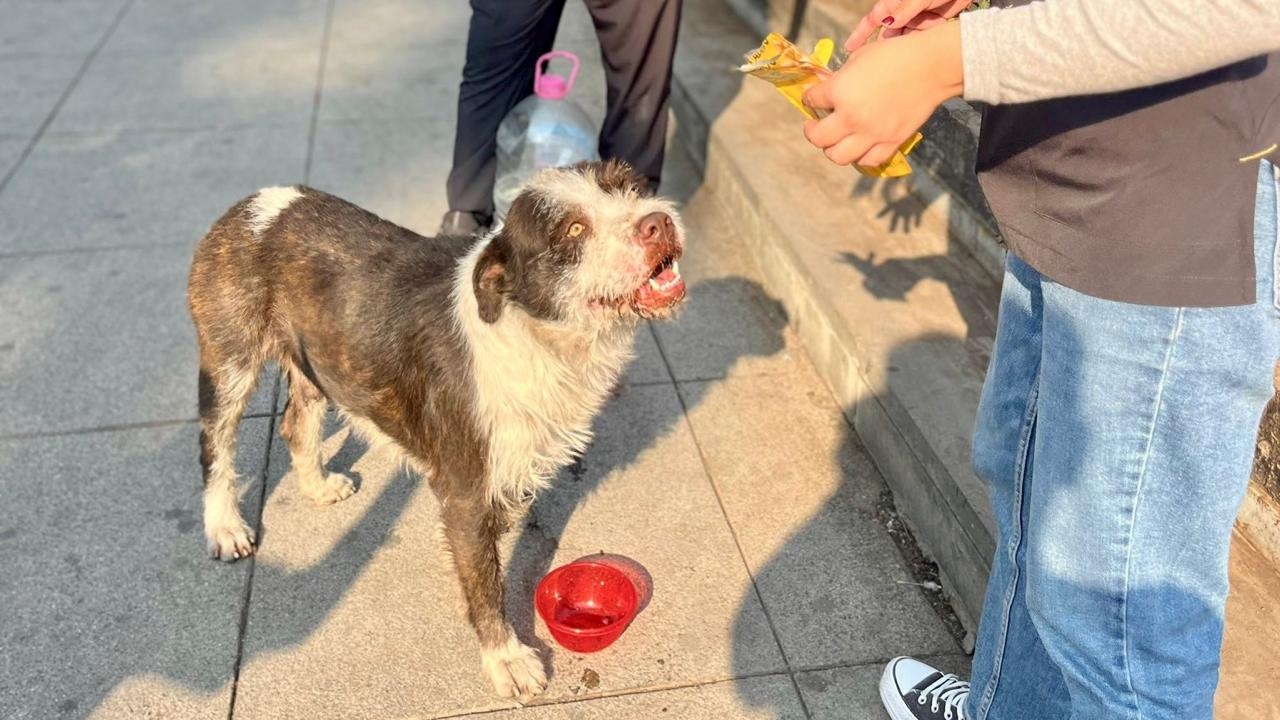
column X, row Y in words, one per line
column 130, row 189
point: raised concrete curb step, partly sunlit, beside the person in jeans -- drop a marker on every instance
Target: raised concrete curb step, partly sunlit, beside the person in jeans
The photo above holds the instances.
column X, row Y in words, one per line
column 890, row 302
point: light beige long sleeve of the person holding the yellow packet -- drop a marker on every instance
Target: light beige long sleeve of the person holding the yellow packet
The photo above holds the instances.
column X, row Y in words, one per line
column 1066, row 48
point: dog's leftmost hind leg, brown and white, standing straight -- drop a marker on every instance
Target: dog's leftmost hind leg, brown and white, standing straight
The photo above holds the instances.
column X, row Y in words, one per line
column 225, row 391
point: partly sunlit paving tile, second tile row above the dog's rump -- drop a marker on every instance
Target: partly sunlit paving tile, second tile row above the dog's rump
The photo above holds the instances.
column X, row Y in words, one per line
column 207, row 88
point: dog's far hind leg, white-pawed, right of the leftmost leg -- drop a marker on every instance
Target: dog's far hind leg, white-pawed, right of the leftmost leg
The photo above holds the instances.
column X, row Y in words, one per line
column 304, row 429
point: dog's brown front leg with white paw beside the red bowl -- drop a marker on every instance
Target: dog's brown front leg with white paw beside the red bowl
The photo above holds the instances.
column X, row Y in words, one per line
column 473, row 527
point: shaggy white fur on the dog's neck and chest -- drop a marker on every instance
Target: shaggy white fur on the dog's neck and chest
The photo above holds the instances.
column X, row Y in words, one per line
column 538, row 390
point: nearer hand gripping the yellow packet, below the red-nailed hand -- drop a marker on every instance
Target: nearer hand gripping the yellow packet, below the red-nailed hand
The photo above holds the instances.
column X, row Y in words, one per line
column 884, row 94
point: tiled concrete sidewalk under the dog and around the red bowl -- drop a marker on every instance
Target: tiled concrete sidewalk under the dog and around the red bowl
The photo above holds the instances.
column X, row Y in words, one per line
column 725, row 466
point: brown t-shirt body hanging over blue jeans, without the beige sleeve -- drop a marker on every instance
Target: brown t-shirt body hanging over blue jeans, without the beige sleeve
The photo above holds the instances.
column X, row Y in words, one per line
column 1137, row 197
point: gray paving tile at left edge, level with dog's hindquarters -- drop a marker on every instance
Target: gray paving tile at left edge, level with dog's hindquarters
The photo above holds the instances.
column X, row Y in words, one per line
column 98, row 339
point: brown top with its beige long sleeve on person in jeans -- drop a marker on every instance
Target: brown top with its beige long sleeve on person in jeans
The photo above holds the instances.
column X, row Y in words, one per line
column 1119, row 140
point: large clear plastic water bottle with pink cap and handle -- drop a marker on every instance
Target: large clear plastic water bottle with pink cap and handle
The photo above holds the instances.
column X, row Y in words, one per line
column 546, row 130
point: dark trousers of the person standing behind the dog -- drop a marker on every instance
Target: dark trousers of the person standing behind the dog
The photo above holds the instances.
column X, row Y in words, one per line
column 638, row 43
